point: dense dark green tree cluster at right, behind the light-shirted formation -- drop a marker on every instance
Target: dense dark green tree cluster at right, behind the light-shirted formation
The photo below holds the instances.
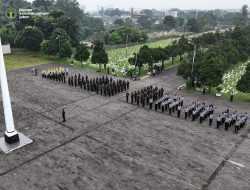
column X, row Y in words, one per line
column 216, row 53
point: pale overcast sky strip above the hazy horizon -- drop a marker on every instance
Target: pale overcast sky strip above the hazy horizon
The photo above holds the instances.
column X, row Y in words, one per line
column 164, row 4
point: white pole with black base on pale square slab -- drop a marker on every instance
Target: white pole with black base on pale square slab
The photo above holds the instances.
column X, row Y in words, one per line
column 12, row 139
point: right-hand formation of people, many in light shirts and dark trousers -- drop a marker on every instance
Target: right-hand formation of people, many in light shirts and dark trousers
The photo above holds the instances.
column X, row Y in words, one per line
column 156, row 99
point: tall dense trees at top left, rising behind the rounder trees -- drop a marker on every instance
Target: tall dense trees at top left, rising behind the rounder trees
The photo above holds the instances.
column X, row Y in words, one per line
column 65, row 14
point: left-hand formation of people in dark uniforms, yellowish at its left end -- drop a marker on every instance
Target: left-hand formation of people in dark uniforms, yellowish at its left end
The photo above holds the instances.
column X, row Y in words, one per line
column 105, row 86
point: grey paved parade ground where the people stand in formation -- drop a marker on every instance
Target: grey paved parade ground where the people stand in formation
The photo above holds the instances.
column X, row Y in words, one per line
column 107, row 143
